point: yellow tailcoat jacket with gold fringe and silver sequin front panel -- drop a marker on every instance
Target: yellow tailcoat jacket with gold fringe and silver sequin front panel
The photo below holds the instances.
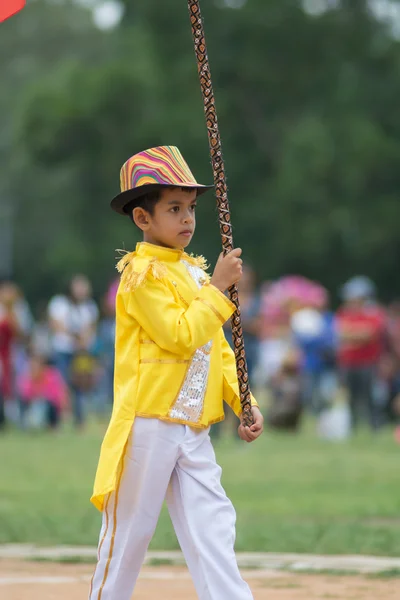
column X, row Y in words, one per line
column 172, row 361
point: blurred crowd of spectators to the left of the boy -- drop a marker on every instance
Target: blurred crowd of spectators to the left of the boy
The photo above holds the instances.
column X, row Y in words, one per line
column 58, row 364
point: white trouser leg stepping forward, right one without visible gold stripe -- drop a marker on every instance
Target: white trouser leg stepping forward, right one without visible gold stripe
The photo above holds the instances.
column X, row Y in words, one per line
column 204, row 521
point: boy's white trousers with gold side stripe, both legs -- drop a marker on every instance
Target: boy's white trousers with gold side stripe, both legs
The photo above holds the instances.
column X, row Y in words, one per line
column 177, row 462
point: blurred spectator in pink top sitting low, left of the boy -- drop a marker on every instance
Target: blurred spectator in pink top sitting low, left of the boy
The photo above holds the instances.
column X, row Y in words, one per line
column 43, row 394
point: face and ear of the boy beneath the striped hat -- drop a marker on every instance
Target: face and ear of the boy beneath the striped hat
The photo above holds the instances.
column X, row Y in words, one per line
column 173, row 221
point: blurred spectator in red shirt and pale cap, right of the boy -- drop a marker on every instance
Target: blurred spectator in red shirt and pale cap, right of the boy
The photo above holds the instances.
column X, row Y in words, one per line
column 361, row 328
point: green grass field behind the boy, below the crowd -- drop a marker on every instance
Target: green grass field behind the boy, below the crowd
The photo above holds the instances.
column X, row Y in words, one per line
column 292, row 493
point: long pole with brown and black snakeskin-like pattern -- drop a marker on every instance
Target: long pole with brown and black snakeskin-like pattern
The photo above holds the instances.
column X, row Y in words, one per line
column 222, row 198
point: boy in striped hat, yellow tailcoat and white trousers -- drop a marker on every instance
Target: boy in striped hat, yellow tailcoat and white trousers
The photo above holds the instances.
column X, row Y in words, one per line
column 173, row 368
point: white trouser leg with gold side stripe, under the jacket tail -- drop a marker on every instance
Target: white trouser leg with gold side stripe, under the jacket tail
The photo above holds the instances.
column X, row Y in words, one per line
column 132, row 511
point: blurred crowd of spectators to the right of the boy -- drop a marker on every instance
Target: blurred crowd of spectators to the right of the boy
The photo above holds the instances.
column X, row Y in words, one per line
column 341, row 365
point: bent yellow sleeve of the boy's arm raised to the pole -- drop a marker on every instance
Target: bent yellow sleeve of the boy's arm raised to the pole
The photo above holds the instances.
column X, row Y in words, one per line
column 175, row 328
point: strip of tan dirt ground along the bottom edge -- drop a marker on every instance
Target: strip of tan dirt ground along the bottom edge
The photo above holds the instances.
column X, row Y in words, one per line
column 20, row 580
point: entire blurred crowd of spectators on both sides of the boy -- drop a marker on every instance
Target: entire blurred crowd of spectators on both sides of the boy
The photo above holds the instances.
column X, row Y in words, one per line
column 341, row 365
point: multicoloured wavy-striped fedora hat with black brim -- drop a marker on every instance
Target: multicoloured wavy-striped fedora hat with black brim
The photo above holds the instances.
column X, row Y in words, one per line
column 150, row 169
